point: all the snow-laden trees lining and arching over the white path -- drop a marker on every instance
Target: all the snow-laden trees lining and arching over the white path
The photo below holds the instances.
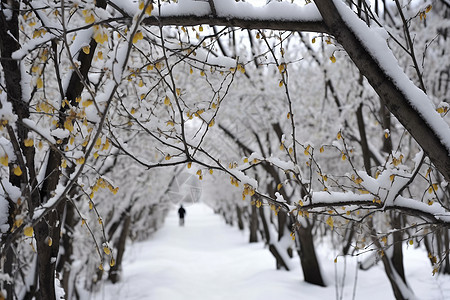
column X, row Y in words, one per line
column 103, row 104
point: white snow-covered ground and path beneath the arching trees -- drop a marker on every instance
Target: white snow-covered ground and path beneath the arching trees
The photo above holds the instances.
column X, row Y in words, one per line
column 209, row 260
